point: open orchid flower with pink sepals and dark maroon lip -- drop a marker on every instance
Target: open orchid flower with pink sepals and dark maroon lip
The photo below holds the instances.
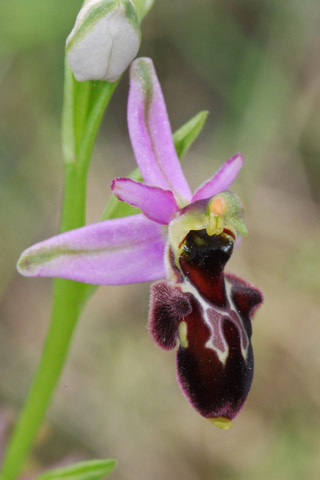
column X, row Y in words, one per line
column 182, row 239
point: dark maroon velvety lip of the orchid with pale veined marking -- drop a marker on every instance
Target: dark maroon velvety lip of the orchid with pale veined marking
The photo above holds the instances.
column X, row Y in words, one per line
column 208, row 314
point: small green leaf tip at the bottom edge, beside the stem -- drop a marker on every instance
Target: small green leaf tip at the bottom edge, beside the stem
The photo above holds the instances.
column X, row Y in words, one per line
column 89, row 470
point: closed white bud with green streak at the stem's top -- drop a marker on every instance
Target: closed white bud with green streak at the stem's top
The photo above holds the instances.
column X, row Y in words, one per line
column 104, row 40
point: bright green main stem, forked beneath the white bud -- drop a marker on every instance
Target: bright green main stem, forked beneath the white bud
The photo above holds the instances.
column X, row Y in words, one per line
column 84, row 106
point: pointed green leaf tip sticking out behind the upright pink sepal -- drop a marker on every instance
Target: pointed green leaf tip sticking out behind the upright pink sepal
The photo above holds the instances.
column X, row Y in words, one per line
column 186, row 135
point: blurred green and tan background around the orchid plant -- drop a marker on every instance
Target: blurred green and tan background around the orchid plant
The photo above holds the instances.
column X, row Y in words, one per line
column 255, row 65
